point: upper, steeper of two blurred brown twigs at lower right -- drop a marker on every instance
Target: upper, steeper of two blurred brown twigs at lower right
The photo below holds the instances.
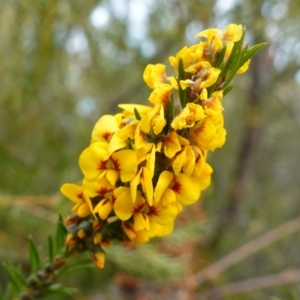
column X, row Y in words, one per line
column 244, row 251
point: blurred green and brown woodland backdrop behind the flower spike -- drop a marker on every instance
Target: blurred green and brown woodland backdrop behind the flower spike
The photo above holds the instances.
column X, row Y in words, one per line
column 65, row 63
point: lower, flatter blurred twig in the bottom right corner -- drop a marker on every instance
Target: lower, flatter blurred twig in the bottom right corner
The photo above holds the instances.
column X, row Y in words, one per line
column 248, row 285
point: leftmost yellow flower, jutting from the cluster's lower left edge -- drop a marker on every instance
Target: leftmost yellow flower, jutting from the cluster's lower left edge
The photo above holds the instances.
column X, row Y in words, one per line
column 75, row 194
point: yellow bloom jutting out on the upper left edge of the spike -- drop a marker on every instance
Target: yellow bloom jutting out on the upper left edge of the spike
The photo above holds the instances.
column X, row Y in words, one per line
column 155, row 75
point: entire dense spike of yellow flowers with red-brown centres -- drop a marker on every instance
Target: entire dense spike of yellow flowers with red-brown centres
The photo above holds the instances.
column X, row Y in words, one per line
column 146, row 163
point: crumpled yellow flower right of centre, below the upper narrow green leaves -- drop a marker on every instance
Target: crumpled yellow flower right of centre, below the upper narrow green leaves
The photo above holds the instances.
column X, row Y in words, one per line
column 188, row 116
